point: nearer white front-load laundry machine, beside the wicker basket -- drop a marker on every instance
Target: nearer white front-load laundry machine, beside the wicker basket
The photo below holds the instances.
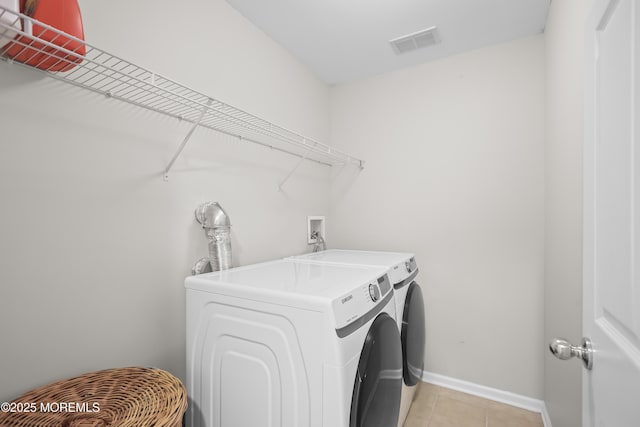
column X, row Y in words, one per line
column 291, row 344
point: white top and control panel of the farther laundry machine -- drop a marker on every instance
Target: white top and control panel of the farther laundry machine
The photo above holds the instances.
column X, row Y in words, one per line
column 402, row 266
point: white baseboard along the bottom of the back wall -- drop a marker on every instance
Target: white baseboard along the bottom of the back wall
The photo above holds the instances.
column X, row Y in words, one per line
column 502, row 396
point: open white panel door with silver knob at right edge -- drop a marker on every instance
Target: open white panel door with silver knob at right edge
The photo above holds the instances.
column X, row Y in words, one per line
column 611, row 316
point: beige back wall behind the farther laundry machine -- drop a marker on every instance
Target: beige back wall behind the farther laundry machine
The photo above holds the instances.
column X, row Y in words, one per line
column 455, row 173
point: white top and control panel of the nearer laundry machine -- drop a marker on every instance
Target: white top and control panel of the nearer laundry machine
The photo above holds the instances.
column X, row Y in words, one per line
column 349, row 292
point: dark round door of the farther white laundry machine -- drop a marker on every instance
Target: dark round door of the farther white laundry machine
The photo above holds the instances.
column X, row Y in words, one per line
column 413, row 335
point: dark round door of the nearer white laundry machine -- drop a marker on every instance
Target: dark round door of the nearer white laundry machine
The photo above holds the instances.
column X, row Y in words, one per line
column 378, row 385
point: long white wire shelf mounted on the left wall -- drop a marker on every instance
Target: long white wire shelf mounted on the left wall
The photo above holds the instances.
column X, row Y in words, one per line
column 47, row 49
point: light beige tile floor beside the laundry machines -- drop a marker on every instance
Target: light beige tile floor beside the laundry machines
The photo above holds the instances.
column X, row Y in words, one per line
column 435, row 406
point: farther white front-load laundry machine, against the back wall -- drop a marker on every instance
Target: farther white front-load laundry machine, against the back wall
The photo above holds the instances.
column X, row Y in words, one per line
column 402, row 270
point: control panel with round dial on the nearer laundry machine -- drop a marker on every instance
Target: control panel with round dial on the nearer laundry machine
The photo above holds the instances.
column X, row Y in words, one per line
column 359, row 304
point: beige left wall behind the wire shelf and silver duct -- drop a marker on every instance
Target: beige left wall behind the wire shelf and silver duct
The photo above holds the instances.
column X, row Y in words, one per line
column 94, row 245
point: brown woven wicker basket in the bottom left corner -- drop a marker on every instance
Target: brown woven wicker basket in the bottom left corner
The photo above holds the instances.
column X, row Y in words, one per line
column 125, row 397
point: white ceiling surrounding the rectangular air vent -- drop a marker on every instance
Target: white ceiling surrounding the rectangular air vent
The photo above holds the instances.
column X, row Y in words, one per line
column 343, row 40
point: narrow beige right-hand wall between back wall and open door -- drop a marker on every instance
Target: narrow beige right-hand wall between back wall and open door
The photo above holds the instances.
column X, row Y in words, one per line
column 564, row 39
